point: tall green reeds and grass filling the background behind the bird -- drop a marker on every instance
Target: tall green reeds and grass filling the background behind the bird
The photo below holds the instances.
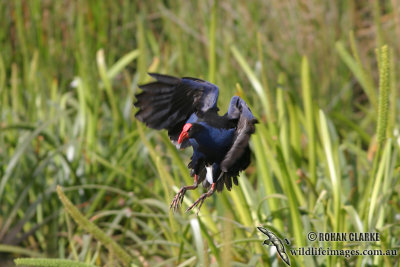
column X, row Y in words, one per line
column 321, row 76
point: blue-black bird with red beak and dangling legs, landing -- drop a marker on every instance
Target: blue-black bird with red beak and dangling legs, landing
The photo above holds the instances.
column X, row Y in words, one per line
column 187, row 108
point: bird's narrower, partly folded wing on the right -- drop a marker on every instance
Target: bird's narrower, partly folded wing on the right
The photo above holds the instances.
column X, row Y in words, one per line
column 238, row 155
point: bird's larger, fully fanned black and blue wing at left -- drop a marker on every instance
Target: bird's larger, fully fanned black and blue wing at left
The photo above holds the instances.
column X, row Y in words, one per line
column 169, row 102
